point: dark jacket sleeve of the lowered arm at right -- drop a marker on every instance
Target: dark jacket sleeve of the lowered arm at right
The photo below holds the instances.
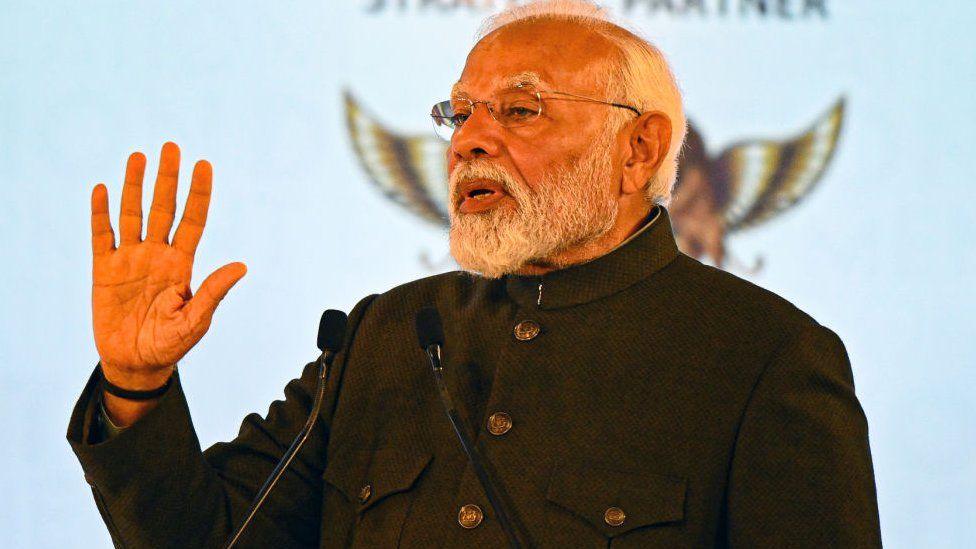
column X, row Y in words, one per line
column 801, row 473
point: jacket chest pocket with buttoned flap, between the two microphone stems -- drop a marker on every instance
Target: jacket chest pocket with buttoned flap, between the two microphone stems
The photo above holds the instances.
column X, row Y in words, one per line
column 367, row 495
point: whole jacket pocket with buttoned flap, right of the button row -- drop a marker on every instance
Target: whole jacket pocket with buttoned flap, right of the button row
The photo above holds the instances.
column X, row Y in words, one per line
column 614, row 503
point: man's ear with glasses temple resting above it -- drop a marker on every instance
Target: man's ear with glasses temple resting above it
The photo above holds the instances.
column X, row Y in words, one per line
column 650, row 139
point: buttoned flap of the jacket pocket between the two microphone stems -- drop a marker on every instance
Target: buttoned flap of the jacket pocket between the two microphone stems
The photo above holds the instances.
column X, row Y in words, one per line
column 369, row 476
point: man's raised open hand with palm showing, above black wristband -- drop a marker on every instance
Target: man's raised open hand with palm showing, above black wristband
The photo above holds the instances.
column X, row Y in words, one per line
column 145, row 316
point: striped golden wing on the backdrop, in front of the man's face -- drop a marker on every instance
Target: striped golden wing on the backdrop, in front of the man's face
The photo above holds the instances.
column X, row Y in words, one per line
column 410, row 170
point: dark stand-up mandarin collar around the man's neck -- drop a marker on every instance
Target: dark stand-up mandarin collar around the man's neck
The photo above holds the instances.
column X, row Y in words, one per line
column 641, row 255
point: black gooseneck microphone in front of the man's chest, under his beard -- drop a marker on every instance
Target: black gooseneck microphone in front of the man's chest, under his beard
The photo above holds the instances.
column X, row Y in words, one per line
column 430, row 335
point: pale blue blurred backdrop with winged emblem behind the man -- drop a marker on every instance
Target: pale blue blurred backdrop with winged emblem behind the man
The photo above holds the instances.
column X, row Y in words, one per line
column 832, row 154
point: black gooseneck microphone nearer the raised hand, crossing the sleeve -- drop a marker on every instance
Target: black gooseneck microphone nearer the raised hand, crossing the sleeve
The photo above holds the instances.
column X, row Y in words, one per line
column 332, row 332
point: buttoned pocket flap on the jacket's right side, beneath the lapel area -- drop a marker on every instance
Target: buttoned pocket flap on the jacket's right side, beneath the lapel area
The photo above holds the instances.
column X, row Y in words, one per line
column 615, row 502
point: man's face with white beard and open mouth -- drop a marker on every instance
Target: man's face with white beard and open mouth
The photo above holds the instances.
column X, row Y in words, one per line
column 521, row 195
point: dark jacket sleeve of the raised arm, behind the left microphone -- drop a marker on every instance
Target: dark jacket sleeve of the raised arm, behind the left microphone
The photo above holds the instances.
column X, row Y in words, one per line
column 154, row 487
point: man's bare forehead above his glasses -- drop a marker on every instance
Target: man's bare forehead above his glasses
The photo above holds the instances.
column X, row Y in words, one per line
column 559, row 55
